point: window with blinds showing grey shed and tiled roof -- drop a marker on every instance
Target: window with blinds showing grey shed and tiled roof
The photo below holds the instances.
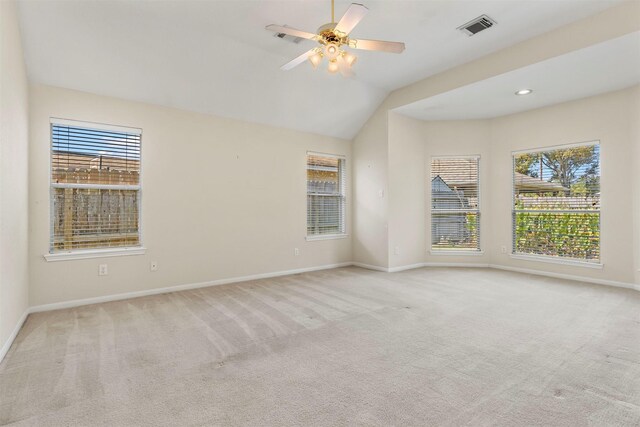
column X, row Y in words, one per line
column 455, row 204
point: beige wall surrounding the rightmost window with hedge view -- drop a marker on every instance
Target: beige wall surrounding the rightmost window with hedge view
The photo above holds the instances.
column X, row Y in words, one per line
column 607, row 118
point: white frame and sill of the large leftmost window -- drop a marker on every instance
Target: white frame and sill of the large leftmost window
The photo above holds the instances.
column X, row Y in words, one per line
column 85, row 253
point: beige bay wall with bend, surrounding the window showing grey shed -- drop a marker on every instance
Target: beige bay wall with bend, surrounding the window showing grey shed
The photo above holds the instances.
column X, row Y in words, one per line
column 412, row 144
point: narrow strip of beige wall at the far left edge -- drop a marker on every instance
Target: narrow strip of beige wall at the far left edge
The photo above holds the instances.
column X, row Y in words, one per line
column 13, row 174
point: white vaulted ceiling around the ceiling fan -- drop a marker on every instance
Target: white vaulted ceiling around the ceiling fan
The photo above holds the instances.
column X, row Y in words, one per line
column 215, row 56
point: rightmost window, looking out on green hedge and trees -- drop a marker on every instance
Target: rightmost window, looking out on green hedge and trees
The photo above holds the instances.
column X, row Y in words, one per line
column 556, row 202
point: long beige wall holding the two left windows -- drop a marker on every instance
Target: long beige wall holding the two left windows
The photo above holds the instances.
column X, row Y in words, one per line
column 236, row 206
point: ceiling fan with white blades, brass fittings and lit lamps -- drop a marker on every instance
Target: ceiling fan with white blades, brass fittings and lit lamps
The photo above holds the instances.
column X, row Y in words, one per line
column 332, row 37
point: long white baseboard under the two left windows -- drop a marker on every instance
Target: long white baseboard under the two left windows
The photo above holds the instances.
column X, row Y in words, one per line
column 156, row 291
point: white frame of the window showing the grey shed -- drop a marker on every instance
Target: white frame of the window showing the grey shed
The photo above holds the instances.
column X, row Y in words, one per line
column 455, row 251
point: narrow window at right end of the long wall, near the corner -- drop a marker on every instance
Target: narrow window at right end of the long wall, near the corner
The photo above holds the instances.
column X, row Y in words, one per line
column 326, row 199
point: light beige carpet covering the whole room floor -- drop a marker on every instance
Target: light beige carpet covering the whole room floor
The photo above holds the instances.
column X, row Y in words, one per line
column 338, row 347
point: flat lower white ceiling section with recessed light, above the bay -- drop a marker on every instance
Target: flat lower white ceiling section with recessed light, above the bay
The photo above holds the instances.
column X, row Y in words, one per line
column 600, row 68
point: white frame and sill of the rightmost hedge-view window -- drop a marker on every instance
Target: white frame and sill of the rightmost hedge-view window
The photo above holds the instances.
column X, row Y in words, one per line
column 555, row 259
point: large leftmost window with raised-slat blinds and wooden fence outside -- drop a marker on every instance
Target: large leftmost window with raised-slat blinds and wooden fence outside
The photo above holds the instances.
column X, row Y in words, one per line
column 95, row 186
